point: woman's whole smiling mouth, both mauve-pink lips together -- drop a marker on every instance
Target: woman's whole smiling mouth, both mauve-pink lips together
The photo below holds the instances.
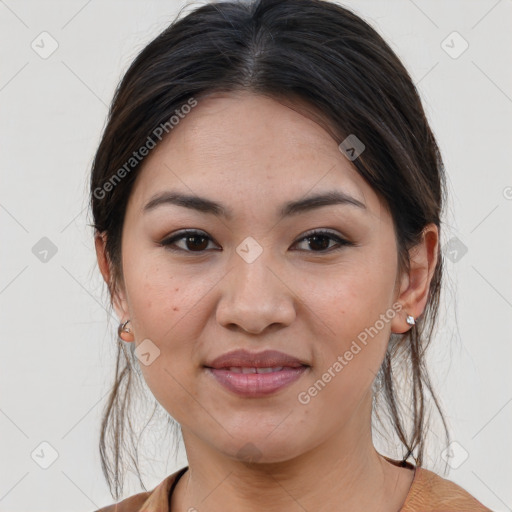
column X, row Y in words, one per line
column 226, row 370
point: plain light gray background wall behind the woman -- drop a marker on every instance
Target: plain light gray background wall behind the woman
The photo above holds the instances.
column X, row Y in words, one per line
column 56, row 364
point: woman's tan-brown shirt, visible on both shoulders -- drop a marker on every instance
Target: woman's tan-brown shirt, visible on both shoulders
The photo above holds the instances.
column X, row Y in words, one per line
column 428, row 493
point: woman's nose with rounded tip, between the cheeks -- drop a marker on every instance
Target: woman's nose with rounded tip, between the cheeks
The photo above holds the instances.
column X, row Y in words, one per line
column 255, row 295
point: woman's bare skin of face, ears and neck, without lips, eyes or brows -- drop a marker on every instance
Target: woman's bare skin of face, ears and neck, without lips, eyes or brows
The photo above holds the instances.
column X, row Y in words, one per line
column 252, row 154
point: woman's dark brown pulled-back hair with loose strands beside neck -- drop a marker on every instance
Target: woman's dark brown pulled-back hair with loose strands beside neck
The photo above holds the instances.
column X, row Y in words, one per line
column 330, row 59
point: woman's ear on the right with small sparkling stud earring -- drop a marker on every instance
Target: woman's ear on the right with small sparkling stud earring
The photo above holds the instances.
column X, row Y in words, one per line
column 415, row 284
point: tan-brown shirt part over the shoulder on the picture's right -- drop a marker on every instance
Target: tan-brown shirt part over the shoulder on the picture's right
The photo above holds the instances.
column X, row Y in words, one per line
column 431, row 492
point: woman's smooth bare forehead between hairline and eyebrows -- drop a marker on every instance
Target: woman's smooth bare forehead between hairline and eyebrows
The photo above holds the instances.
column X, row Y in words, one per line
column 243, row 145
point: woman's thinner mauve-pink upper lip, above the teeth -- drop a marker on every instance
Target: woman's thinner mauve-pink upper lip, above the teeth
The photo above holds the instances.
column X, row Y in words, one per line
column 244, row 359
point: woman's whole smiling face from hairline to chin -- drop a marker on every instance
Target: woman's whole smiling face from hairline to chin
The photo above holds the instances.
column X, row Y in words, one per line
column 254, row 279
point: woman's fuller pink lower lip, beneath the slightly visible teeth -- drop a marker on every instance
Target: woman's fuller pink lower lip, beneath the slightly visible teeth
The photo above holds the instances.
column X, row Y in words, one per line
column 256, row 384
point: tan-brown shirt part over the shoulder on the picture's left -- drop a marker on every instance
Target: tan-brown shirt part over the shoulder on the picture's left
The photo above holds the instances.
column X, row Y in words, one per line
column 149, row 501
